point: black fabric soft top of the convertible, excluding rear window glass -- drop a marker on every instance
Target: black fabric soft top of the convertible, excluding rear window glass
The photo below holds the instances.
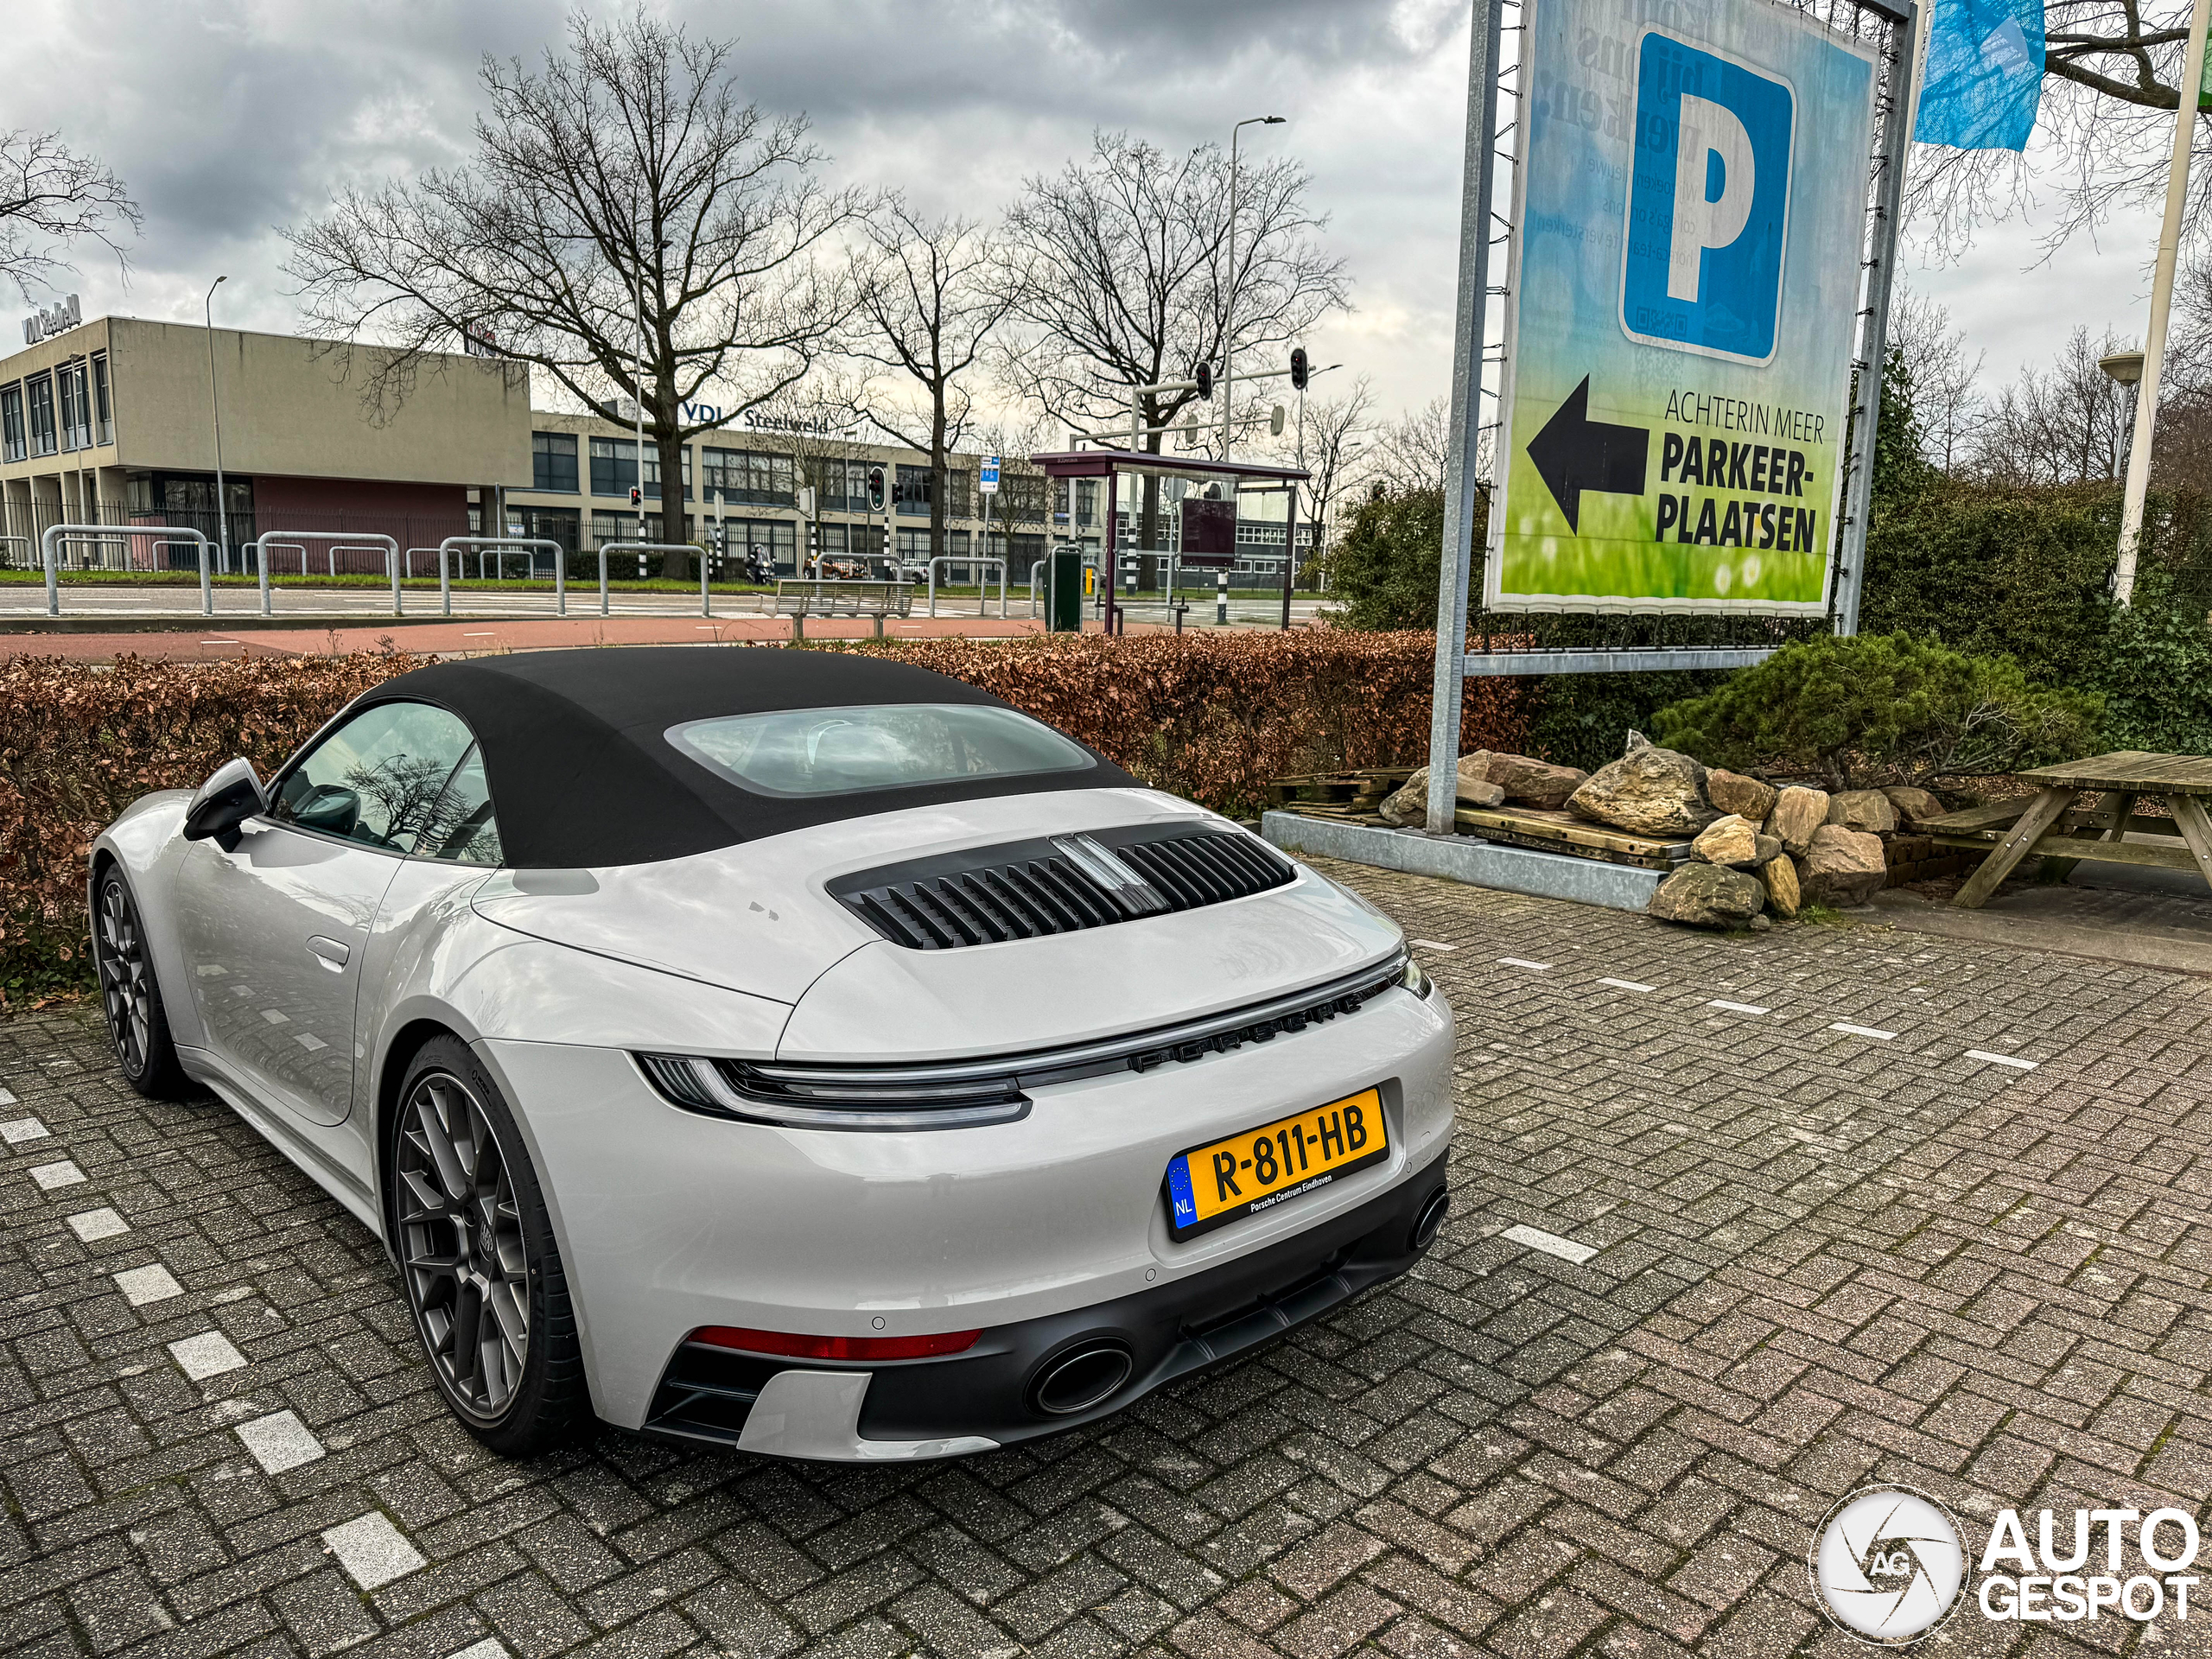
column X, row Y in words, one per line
column 583, row 775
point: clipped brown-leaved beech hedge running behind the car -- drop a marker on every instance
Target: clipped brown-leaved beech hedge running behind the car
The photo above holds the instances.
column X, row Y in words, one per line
column 1207, row 716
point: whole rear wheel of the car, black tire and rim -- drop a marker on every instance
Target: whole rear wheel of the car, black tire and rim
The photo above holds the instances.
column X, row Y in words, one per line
column 477, row 1255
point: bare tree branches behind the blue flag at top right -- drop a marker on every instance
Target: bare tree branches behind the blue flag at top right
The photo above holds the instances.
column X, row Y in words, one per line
column 2105, row 132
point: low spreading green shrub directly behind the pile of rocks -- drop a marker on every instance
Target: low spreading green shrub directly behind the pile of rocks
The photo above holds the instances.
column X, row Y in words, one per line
column 1881, row 709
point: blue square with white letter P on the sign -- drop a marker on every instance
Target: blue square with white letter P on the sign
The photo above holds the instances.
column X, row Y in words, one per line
column 1709, row 202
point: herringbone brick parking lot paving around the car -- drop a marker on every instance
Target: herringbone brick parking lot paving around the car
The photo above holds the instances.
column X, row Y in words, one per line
column 1740, row 1227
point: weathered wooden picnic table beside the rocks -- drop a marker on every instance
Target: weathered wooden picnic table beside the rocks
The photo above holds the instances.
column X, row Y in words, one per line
column 2049, row 824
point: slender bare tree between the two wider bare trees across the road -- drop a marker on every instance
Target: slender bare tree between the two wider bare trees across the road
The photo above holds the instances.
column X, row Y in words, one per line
column 930, row 302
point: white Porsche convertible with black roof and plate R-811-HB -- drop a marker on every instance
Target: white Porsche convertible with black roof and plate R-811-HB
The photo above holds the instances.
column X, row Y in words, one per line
column 784, row 1050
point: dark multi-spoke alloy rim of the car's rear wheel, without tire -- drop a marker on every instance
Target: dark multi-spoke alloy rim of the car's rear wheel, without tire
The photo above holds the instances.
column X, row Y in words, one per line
column 461, row 1246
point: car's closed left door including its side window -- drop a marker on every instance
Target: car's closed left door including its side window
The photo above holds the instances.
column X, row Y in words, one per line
column 278, row 928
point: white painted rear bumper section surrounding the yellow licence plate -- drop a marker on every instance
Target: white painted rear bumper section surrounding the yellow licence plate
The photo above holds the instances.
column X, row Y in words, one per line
column 671, row 1222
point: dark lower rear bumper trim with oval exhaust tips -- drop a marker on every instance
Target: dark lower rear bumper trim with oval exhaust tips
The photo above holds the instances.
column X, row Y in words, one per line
column 988, row 1397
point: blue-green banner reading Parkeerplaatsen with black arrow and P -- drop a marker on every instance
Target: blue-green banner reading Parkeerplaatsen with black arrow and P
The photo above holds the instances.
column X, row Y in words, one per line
column 1682, row 306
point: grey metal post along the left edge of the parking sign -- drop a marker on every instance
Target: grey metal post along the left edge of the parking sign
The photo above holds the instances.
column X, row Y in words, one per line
column 1465, row 417
